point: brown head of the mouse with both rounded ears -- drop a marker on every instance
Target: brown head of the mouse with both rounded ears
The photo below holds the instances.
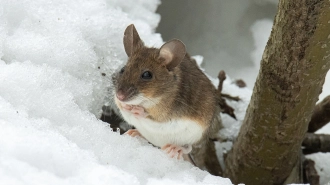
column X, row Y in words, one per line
column 149, row 73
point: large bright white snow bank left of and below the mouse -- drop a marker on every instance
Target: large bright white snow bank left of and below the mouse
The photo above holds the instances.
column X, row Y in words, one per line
column 53, row 54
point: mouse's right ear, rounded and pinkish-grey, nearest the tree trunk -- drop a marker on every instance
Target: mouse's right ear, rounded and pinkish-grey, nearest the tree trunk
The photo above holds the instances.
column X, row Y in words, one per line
column 172, row 53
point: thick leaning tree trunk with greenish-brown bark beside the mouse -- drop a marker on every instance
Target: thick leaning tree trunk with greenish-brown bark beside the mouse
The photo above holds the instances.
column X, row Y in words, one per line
column 293, row 68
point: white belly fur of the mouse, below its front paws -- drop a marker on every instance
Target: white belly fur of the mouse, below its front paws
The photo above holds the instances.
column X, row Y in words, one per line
column 178, row 132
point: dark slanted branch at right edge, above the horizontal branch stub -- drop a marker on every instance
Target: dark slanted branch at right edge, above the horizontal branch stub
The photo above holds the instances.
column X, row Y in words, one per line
column 321, row 115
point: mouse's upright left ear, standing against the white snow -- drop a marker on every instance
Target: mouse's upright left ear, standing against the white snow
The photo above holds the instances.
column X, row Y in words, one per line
column 131, row 40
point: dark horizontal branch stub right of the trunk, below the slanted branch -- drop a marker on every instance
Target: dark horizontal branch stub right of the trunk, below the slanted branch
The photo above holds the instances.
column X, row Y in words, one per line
column 316, row 143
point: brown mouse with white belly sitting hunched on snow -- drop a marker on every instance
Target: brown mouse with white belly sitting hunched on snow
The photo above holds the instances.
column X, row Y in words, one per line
column 164, row 94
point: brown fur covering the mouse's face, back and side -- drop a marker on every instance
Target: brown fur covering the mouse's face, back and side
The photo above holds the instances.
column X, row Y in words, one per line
column 184, row 91
